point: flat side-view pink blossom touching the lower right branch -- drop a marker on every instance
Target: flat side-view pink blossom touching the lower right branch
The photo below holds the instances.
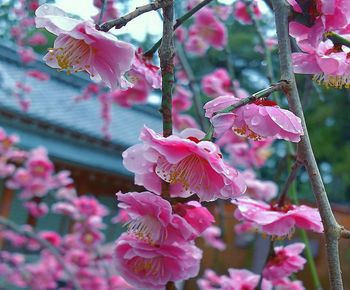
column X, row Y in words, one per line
column 276, row 221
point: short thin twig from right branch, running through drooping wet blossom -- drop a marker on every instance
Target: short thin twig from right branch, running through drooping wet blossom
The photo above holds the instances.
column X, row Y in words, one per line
column 258, row 95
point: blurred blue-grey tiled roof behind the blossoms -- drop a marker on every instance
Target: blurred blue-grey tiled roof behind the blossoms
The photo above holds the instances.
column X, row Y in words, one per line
column 52, row 103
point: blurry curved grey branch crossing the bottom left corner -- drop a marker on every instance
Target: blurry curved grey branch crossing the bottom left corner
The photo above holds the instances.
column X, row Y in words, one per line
column 45, row 244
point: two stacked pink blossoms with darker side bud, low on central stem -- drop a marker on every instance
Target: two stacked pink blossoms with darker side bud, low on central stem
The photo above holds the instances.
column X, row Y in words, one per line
column 159, row 246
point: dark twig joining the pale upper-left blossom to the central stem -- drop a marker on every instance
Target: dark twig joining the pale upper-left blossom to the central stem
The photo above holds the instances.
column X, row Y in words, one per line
column 123, row 20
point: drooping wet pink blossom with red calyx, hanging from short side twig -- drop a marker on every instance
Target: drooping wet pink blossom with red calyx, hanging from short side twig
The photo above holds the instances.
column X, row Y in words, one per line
column 257, row 120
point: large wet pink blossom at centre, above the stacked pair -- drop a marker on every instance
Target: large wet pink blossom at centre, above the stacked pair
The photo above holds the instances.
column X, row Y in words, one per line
column 190, row 165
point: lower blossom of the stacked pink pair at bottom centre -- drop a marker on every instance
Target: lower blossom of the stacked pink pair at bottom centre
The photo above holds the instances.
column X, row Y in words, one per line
column 146, row 266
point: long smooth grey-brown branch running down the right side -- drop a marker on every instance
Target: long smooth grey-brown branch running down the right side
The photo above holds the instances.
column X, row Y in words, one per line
column 331, row 227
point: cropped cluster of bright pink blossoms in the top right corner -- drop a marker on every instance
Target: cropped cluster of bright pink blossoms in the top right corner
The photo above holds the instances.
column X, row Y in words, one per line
column 327, row 59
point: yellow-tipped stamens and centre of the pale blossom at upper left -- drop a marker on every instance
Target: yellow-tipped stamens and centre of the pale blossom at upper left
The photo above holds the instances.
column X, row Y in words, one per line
column 73, row 56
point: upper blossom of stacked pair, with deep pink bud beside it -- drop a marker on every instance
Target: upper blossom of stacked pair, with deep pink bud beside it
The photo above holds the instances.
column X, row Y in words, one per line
column 152, row 220
